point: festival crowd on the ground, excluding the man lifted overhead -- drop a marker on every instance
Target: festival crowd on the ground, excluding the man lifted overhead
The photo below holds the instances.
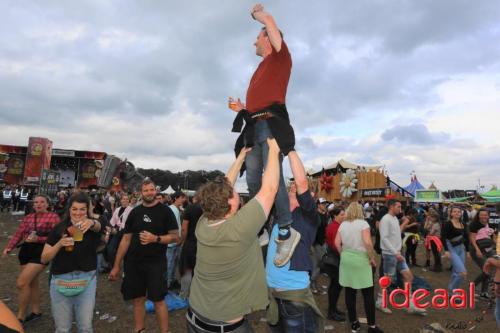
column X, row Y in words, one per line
column 336, row 239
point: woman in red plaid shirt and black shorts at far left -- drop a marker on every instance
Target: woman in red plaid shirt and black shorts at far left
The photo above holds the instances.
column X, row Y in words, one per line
column 30, row 237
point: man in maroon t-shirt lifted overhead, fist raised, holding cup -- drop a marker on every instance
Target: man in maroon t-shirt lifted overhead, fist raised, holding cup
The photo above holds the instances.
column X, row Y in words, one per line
column 265, row 116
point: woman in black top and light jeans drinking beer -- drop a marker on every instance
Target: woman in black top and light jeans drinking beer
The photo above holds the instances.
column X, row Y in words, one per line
column 71, row 246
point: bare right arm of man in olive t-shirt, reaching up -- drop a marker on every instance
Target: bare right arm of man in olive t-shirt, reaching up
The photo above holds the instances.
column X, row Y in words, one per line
column 270, row 179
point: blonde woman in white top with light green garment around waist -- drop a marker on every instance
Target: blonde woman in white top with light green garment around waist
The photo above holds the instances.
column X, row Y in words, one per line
column 357, row 261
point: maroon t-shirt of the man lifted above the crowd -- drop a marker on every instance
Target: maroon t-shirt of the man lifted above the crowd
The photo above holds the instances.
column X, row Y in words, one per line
column 270, row 81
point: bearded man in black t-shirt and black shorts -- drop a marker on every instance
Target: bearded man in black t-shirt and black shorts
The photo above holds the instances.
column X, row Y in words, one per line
column 149, row 228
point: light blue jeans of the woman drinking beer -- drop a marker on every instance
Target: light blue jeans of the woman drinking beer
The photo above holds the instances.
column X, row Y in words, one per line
column 82, row 304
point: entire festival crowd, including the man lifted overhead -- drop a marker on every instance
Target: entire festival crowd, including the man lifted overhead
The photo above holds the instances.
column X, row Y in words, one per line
column 230, row 258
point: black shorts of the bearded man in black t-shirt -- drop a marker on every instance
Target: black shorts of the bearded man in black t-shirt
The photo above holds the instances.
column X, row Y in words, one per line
column 145, row 279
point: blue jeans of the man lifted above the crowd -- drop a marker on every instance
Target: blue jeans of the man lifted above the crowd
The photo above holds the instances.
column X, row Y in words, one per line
column 255, row 162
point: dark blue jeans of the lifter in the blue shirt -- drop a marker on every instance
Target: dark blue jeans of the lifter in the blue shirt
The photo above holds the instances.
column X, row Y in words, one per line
column 294, row 318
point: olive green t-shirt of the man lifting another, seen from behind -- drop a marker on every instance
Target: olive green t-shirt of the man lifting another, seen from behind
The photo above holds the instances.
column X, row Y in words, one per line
column 229, row 279
